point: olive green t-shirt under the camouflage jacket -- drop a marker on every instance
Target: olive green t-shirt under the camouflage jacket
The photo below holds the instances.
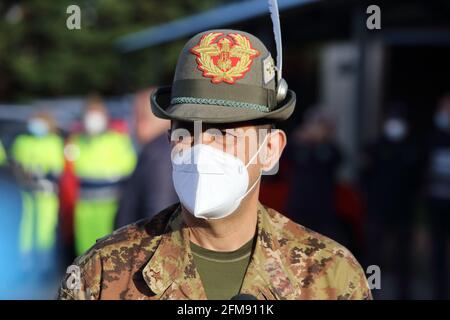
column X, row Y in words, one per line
column 222, row 273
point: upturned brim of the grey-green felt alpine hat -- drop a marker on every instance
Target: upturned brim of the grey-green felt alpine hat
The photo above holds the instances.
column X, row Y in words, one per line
column 160, row 104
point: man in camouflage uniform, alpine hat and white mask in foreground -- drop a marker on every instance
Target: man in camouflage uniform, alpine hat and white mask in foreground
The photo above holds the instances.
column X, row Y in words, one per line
column 226, row 79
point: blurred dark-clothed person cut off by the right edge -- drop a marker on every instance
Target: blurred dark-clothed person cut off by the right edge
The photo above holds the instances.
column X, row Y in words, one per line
column 438, row 198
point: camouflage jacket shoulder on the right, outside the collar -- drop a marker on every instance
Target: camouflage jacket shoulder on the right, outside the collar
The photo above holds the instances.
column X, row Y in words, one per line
column 316, row 261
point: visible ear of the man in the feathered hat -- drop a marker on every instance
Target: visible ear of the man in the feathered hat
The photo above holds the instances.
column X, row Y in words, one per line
column 275, row 144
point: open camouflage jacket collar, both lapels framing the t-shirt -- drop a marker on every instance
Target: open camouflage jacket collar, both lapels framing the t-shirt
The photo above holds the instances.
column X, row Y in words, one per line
column 171, row 272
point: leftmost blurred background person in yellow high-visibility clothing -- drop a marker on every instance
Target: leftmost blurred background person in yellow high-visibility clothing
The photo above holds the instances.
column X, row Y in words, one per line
column 38, row 159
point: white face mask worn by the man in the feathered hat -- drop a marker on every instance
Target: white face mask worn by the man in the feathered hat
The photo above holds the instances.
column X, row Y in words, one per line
column 214, row 184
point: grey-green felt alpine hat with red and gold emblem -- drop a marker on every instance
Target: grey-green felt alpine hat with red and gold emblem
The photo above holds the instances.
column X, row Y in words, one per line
column 224, row 76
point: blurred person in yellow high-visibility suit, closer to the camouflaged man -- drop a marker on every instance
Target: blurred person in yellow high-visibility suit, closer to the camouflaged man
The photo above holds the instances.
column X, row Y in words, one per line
column 102, row 159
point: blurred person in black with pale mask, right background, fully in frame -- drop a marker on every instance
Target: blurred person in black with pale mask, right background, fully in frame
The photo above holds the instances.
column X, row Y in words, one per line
column 391, row 176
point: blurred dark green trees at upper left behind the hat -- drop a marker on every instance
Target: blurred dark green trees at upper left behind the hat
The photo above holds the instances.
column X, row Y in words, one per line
column 39, row 56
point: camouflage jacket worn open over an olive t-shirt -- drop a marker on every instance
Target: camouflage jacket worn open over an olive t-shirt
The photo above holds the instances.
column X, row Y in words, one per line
column 151, row 259
